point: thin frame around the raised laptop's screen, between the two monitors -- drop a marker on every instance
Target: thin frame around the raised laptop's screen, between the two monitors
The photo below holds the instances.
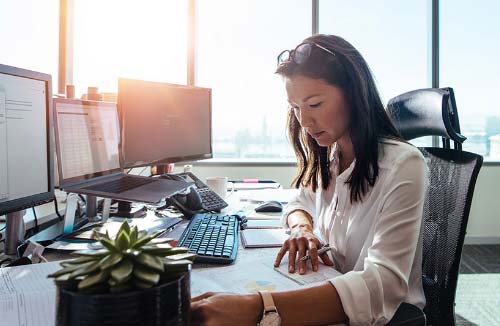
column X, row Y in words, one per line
column 65, row 182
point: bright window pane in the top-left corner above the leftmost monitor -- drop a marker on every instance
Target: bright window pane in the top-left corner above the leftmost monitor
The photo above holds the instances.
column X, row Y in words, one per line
column 29, row 31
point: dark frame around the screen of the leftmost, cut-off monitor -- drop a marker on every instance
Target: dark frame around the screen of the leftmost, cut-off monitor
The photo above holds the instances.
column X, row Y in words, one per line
column 18, row 204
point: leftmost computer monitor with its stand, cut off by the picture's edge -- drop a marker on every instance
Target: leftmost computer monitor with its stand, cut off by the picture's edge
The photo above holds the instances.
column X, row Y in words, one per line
column 26, row 160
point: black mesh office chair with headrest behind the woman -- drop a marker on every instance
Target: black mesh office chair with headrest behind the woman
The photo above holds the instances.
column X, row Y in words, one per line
column 452, row 177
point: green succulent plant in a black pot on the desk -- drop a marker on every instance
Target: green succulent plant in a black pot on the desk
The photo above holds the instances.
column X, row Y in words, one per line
column 136, row 279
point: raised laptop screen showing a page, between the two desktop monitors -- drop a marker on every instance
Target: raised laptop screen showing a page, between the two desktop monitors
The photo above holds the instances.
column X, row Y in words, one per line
column 87, row 138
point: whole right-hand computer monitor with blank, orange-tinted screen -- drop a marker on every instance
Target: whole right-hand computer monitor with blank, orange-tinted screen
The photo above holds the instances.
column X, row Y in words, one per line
column 163, row 123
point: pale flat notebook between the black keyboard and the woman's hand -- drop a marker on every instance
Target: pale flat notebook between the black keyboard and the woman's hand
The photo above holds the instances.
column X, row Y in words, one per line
column 263, row 238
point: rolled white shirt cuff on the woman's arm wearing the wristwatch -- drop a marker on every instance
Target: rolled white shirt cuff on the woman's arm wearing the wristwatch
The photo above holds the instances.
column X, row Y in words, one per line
column 355, row 298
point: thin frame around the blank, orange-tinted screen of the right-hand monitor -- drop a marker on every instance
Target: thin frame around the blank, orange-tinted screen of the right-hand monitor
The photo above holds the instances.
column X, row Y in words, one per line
column 166, row 160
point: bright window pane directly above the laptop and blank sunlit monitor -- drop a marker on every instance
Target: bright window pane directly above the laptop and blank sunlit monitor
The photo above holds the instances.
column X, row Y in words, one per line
column 144, row 39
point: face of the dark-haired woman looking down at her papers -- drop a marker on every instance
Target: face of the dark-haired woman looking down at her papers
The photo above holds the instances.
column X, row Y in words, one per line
column 320, row 108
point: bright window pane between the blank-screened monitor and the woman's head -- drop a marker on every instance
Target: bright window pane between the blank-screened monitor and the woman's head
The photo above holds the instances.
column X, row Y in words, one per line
column 238, row 42
